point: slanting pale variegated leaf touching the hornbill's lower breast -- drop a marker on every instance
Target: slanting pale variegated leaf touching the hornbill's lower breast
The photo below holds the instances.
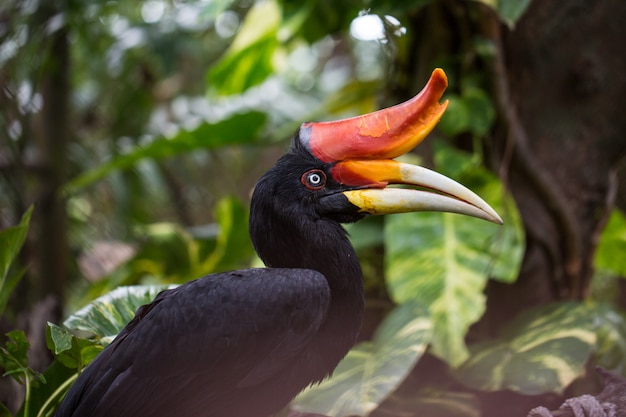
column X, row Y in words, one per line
column 372, row 370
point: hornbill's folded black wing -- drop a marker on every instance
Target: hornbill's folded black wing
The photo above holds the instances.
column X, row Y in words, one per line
column 198, row 344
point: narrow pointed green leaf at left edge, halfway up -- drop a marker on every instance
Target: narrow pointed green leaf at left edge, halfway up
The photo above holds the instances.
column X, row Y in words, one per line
column 11, row 241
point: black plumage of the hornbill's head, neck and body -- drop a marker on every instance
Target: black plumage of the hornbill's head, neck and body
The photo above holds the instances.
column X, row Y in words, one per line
column 241, row 343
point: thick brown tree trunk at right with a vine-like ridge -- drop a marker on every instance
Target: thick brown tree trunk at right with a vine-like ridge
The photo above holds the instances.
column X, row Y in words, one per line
column 558, row 84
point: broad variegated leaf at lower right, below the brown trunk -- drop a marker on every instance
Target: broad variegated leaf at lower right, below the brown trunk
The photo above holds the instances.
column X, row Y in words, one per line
column 541, row 351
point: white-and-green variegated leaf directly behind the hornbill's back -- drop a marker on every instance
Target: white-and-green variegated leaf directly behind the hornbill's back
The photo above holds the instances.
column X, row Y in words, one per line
column 106, row 316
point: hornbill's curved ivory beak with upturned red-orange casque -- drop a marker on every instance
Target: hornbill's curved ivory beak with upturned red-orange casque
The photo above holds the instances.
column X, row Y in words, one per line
column 361, row 149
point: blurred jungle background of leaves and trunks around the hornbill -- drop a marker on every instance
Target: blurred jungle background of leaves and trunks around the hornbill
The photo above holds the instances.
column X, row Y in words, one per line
column 132, row 134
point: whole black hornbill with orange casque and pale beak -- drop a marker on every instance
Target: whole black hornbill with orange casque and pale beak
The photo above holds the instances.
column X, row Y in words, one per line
column 244, row 343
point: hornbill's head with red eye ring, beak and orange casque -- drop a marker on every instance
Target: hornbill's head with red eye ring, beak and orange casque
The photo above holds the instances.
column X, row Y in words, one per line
column 341, row 170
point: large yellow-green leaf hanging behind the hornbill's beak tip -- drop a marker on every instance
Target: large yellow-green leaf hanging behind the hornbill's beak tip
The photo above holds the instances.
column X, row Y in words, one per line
column 444, row 260
